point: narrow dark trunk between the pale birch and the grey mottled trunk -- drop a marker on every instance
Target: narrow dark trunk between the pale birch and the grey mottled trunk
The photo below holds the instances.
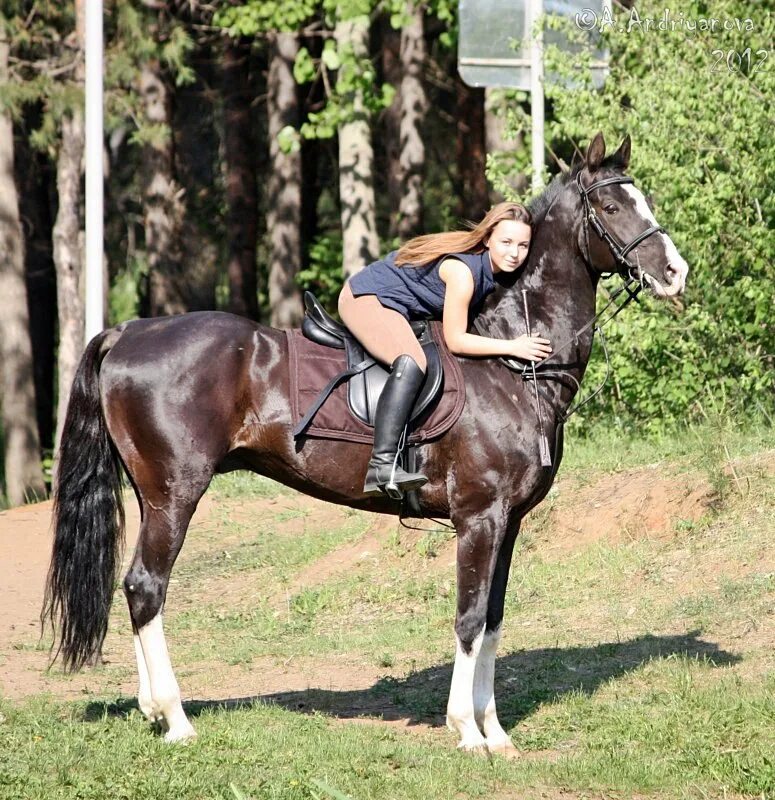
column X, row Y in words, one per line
column 391, row 120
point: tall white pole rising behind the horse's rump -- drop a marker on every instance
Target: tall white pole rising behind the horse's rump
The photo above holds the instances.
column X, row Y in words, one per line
column 94, row 174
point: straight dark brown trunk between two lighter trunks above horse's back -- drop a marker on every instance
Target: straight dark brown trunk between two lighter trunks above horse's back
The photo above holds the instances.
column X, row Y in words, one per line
column 241, row 189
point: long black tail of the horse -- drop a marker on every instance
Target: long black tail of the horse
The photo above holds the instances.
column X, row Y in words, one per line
column 88, row 519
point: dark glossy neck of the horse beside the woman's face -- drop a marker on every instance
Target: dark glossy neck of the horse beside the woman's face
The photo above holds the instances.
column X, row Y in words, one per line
column 560, row 294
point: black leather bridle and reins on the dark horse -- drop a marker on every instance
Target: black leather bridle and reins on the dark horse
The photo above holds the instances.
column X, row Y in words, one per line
column 633, row 277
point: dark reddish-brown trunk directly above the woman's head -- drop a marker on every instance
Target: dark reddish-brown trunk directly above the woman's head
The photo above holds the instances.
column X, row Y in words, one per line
column 471, row 154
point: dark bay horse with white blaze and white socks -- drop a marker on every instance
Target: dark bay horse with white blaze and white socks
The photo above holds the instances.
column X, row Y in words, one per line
column 174, row 400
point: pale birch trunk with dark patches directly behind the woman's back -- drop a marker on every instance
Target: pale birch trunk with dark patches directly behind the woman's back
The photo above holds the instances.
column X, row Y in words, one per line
column 360, row 242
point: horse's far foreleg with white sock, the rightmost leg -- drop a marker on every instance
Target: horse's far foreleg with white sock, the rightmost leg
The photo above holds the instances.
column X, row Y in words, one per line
column 484, row 679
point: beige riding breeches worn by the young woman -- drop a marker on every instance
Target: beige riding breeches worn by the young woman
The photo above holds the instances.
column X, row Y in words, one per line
column 385, row 333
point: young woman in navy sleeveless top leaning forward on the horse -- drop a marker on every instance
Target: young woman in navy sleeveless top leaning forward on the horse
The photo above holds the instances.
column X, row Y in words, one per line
column 438, row 276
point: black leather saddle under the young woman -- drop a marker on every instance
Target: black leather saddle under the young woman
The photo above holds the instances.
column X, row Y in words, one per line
column 366, row 375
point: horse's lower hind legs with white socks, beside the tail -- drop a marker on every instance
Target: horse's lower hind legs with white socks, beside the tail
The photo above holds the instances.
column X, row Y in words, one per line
column 162, row 532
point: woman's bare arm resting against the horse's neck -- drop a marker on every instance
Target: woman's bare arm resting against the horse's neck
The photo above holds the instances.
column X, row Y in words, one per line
column 460, row 289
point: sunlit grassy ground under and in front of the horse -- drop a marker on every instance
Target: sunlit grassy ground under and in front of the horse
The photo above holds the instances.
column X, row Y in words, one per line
column 639, row 669
